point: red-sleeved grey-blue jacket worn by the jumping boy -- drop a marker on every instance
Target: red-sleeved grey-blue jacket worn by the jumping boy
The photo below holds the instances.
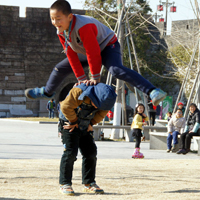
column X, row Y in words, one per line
column 88, row 36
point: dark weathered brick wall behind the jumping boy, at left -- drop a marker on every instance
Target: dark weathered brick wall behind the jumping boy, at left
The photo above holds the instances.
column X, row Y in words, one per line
column 29, row 49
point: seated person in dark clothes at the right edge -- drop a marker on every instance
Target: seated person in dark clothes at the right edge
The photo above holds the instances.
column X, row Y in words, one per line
column 191, row 129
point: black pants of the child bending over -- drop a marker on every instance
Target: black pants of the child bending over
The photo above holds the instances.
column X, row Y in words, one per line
column 72, row 141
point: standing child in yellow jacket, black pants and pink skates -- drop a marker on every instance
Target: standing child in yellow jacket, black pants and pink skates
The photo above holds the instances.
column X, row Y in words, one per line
column 138, row 121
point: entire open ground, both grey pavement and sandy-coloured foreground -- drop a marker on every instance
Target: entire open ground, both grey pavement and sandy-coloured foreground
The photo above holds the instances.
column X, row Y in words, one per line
column 29, row 168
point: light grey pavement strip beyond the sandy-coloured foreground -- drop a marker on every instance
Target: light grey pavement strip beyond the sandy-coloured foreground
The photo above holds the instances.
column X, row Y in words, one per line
column 31, row 140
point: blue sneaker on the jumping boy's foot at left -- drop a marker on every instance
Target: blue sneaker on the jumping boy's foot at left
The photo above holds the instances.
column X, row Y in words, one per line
column 37, row 93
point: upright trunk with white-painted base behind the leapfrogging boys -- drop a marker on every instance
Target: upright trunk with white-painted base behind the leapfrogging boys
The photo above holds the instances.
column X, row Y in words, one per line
column 118, row 103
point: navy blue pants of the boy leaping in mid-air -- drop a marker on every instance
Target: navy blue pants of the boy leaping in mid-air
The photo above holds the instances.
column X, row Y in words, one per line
column 111, row 59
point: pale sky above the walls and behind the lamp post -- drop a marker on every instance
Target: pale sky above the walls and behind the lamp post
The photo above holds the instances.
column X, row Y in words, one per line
column 184, row 8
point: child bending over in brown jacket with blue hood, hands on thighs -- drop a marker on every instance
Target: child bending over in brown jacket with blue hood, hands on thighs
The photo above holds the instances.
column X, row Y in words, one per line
column 93, row 103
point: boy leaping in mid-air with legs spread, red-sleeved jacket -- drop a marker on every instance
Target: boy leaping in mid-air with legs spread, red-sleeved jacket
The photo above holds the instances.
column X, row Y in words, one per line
column 86, row 41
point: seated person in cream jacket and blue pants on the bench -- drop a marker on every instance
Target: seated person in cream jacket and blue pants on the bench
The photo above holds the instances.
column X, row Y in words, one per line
column 175, row 126
